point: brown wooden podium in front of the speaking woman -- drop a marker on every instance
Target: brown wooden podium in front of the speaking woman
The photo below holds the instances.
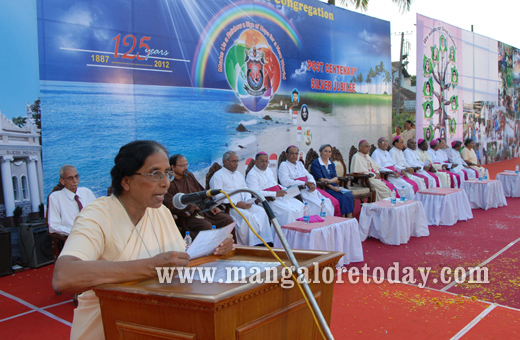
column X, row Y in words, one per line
column 206, row 311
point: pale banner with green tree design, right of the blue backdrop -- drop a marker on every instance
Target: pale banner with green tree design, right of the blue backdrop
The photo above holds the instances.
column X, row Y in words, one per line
column 468, row 86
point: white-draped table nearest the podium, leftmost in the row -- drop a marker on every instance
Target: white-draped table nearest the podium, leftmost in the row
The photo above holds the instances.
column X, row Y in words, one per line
column 335, row 234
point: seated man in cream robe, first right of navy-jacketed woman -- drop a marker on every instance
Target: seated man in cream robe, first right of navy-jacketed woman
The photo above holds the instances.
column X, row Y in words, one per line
column 363, row 163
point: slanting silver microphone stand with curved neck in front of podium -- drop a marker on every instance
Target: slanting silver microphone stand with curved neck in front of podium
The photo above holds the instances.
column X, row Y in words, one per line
column 290, row 255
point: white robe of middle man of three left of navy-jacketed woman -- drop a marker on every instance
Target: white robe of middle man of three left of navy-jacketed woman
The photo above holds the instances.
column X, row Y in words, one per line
column 287, row 210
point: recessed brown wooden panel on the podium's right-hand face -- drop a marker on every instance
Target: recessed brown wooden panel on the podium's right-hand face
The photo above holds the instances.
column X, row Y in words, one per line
column 292, row 322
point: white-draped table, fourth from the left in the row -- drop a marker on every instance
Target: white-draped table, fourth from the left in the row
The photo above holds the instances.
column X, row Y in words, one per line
column 484, row 194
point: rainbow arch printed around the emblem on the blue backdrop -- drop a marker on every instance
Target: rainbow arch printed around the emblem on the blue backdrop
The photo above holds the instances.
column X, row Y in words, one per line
column 223, row 19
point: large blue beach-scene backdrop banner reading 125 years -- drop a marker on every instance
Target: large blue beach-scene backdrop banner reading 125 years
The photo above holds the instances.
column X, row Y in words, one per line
column 203, row 77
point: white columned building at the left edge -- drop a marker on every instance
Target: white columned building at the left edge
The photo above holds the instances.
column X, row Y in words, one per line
column 20, row 166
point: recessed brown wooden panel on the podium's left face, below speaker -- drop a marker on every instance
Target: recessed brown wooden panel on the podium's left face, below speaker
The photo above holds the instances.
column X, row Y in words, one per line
column 131, row 331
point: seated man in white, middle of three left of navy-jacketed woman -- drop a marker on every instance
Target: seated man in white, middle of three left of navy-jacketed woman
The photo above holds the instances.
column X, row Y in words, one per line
column 261, row 178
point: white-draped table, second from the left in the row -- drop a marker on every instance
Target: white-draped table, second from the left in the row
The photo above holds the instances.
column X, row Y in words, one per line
column 393, row 225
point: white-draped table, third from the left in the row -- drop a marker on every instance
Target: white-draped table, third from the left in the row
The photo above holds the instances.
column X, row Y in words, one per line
column 445, row 206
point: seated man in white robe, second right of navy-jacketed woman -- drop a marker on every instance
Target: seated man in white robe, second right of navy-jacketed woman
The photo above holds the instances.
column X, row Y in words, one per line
column 397, row 176
